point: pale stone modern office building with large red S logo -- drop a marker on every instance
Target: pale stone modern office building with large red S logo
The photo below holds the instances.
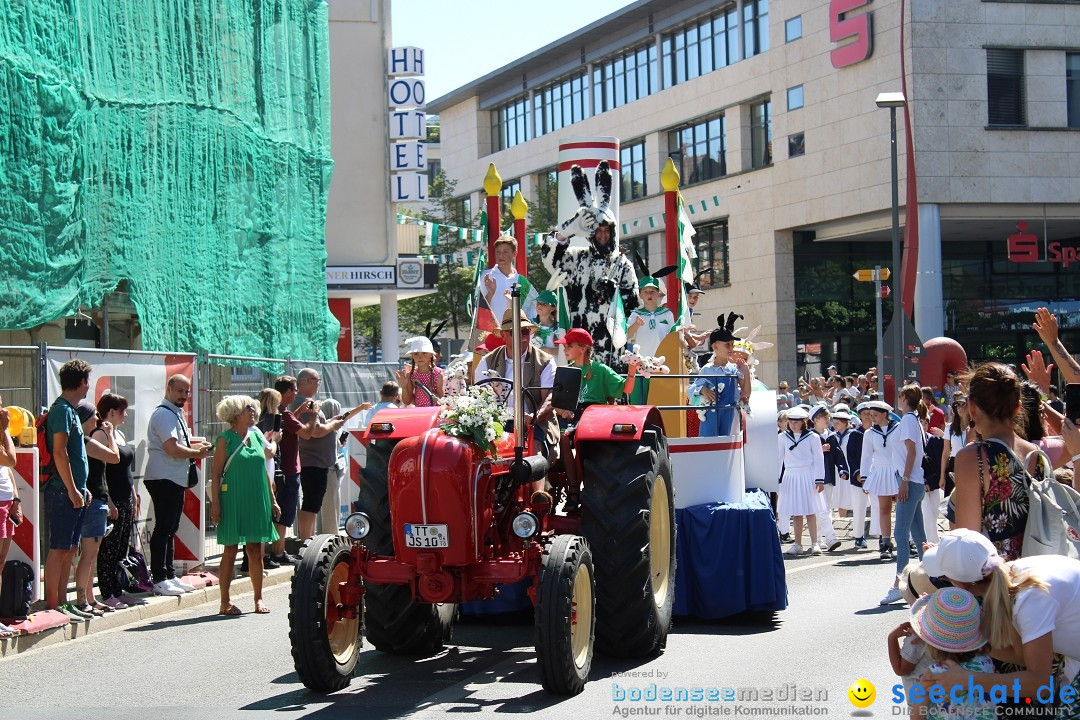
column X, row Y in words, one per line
column 769, row 112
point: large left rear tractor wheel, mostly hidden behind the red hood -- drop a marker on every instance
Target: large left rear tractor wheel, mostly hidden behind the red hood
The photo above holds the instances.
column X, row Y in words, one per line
column 395, row 622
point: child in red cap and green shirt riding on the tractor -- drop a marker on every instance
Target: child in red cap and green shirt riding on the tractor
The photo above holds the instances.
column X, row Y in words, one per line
column 599, row 385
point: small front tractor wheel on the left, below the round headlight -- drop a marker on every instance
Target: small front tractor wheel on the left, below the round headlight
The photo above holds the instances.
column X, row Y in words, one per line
column 326, row 646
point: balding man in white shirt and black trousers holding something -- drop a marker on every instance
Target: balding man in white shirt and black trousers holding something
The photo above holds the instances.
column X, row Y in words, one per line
column 171, row 454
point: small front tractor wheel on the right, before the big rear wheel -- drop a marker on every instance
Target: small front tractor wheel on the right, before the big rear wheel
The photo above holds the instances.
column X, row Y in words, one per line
column 565, row 616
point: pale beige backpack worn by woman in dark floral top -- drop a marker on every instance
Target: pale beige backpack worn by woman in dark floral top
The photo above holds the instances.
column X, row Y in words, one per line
column 1054, row 515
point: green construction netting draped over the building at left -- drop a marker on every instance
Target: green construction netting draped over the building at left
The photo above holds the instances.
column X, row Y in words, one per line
column 183, row 146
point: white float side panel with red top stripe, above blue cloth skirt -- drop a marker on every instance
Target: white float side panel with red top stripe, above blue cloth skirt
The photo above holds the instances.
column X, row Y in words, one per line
column 707, row 470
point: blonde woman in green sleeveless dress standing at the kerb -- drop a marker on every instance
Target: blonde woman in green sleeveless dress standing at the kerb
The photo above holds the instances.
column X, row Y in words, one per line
column 242, row 501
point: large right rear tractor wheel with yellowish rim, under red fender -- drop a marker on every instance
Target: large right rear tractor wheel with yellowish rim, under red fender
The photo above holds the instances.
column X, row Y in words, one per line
column 628, row 517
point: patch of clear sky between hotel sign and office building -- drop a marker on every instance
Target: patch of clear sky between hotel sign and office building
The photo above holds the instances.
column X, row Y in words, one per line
column 467, row 39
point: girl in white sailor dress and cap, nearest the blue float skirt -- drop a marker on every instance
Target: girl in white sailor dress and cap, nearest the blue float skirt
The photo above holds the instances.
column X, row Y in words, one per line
column 801, row 496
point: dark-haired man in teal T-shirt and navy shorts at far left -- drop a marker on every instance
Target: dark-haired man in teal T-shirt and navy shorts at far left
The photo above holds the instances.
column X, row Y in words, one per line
column 66, row 492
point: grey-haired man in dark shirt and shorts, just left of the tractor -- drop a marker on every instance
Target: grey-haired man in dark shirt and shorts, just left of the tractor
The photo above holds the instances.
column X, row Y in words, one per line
column 318, row 447
